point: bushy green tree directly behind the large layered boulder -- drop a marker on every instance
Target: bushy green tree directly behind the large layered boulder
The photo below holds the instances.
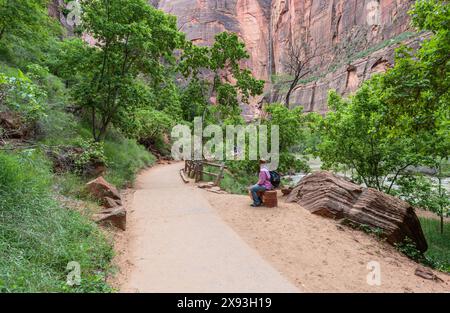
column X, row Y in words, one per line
column 356, row 136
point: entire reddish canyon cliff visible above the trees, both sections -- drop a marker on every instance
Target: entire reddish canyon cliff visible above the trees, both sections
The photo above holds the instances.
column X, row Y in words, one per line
column 346, row 38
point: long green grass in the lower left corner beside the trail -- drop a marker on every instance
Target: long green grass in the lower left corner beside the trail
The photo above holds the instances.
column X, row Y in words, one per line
column 39, row 237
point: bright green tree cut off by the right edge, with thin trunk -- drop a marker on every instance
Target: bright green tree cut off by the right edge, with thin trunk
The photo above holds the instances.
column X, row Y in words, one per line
column 417, row 89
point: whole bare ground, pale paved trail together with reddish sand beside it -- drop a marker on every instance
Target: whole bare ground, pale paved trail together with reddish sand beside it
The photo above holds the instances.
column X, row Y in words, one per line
column 249, row 249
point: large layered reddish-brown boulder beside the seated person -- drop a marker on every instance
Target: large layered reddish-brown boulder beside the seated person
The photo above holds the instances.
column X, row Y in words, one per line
column 325, row 194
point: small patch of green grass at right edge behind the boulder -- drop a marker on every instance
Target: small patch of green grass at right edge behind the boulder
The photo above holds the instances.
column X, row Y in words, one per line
column 438, row 244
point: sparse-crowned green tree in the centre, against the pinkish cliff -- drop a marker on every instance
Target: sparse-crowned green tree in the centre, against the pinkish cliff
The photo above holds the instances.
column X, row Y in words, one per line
column 230, row 83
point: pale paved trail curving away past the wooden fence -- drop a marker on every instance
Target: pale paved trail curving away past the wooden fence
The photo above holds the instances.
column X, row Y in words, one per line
column 178, row 243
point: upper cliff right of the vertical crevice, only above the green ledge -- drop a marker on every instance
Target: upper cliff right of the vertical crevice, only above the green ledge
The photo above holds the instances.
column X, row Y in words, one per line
column 334, row 29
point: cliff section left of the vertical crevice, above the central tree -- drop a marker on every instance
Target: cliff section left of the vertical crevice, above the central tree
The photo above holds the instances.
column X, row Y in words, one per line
column 201, row 20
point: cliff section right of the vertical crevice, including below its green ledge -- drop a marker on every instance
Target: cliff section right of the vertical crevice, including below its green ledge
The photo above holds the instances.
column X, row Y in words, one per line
column 347, row 41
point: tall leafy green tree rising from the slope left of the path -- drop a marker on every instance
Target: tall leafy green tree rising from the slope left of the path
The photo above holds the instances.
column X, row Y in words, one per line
column 133, row 40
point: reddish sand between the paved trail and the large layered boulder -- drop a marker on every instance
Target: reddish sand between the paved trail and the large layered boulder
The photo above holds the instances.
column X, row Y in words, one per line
column 316, row 253
